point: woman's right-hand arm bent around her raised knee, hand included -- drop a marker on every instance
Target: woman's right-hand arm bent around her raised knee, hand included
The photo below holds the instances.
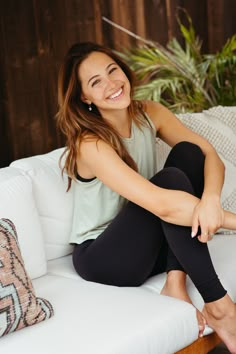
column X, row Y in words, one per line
column 208, row 212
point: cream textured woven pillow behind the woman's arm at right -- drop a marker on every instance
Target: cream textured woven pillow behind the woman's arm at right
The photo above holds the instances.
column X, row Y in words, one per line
column 218, row 126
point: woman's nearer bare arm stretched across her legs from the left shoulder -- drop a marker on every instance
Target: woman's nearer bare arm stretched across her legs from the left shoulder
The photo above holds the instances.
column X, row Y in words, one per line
column 102, row 161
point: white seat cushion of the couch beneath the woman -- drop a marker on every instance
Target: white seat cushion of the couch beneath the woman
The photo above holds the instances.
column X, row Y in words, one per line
column 93, row 318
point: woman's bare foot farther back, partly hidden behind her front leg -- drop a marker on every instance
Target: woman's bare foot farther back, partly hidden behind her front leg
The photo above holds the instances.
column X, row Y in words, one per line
column 178, row 291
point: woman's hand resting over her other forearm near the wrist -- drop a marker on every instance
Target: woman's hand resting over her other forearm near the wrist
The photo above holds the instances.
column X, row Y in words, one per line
column 209, row 215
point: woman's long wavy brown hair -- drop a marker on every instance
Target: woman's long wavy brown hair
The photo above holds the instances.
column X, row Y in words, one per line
column 73, row 117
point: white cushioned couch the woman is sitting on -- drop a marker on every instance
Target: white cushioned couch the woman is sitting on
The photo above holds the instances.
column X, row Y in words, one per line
column 92, row 318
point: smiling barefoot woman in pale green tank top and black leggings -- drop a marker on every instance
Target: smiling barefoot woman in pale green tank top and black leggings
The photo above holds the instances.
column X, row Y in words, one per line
column 129, row 221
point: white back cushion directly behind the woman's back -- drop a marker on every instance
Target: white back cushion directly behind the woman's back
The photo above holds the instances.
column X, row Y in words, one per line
column 54, row 204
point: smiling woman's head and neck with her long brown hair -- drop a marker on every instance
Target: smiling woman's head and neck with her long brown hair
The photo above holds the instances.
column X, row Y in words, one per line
column 85, row 102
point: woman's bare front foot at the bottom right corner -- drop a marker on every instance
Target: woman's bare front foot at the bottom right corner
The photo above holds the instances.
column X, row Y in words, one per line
column 221, row 316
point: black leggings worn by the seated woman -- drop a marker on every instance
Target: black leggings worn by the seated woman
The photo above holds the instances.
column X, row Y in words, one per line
column 137, row 244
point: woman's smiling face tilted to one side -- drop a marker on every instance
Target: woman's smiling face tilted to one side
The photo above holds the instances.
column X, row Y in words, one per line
column 104, row 83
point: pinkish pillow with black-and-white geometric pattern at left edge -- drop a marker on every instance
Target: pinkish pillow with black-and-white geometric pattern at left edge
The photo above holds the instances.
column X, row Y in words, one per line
column 19, row 306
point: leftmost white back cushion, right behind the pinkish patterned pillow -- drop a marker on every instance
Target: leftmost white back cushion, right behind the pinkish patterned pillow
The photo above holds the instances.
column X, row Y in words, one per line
column 17, row 203
